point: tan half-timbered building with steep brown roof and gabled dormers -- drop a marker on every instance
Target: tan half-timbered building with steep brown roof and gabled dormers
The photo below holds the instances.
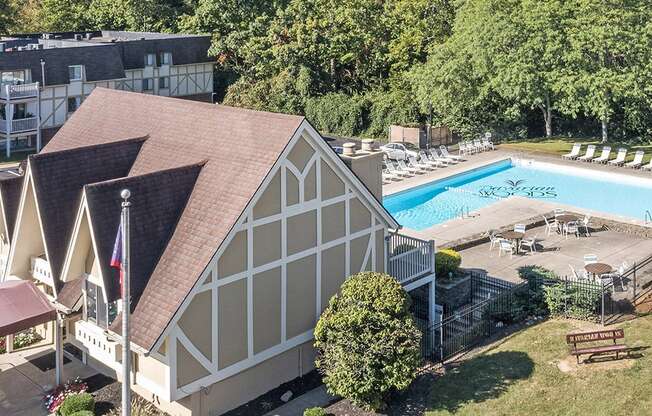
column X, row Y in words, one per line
column 238, row 242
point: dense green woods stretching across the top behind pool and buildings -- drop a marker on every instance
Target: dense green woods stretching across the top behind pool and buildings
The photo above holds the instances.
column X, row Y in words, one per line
column 520, row 68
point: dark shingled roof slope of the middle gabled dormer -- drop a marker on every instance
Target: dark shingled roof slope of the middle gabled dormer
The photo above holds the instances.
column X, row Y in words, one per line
column 58, row 181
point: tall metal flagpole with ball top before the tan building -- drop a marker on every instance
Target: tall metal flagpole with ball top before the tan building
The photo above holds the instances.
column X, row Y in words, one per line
column 126, row 353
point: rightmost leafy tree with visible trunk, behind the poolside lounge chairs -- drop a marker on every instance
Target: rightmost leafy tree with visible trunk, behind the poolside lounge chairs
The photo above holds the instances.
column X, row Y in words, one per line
column 610, row 55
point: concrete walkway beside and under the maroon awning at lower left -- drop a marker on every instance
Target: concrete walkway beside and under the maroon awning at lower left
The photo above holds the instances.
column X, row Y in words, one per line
column 23, row 385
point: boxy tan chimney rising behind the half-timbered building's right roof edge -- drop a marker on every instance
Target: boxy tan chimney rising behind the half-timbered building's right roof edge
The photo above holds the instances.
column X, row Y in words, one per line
column 366, row 164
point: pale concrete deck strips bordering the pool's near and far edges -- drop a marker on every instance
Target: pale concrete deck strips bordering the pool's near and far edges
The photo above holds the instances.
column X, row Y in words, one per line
column 504, row 212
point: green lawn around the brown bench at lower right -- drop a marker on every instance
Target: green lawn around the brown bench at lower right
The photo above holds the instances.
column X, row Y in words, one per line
column 520, row 376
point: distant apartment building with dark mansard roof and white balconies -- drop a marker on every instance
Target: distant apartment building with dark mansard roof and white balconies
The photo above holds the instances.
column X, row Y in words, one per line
column 45, row 77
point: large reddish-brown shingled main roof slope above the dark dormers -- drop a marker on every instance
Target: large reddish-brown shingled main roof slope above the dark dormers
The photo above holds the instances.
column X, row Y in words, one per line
column 240, row 147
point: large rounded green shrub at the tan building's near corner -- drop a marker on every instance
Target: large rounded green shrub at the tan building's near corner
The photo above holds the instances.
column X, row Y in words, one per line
column 368, row 344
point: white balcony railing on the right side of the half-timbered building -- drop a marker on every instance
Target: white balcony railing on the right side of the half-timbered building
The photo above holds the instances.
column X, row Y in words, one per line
column 409, row 257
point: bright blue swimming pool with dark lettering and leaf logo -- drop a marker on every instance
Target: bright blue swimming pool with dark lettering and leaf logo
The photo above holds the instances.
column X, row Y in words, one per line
column 439, row 201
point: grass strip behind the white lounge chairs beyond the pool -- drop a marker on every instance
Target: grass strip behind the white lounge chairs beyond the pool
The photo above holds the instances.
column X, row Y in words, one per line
column 560, row 146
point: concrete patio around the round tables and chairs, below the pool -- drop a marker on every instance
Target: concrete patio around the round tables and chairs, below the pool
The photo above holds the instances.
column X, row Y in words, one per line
column 557, row 253
